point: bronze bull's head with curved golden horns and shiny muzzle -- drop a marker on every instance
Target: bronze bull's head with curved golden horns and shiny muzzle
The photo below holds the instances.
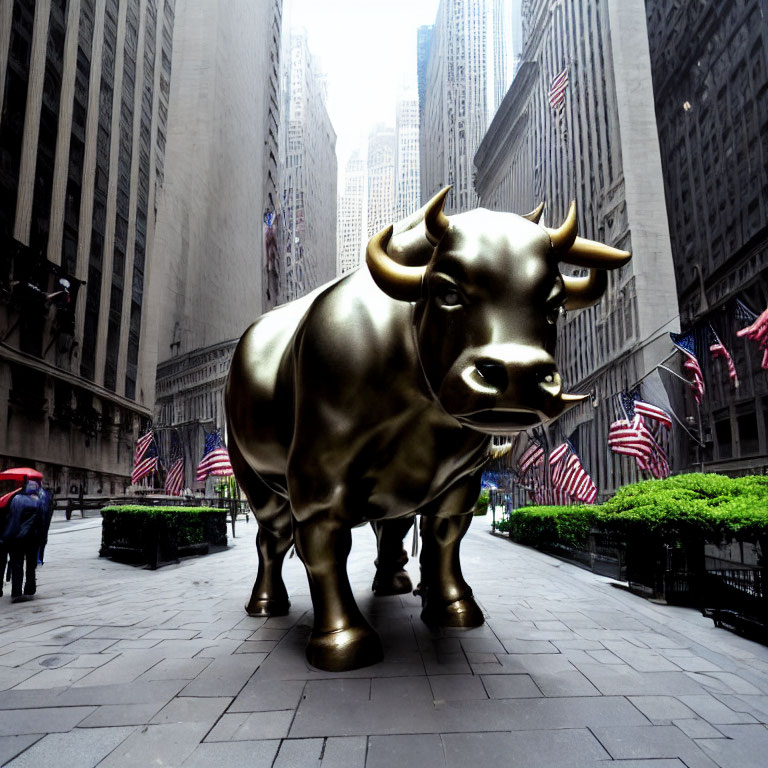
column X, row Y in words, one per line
column 487, row 303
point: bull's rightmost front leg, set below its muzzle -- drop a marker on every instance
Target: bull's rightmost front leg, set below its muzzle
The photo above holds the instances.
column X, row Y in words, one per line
column 448, row 600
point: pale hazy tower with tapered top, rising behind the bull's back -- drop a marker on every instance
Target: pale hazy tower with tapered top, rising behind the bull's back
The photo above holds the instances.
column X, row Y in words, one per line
column 310, row 171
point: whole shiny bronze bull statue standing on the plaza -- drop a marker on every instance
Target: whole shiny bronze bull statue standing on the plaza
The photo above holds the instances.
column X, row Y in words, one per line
column 376, row 397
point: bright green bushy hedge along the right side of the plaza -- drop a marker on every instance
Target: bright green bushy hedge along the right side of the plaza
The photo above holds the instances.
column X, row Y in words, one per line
column 677, row 511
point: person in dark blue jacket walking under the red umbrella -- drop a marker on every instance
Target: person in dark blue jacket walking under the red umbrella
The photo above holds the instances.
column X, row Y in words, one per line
column 21, row 535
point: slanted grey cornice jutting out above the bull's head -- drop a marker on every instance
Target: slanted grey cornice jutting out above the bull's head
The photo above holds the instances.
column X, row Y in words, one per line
column 506, row 128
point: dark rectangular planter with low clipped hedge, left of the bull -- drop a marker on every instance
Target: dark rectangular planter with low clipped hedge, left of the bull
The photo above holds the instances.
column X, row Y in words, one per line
column 159, row 536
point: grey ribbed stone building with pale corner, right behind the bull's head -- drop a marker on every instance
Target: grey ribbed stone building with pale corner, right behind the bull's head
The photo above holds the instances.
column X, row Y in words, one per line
column 601, row 150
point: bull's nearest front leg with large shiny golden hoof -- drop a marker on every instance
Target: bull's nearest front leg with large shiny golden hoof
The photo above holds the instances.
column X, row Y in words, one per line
column 341, row 638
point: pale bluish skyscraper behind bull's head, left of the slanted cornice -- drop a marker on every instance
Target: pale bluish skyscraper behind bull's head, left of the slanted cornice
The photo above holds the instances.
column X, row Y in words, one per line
column 457, row 110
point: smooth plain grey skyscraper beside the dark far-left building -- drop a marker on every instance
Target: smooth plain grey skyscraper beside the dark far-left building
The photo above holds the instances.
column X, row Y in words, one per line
column 220, row 173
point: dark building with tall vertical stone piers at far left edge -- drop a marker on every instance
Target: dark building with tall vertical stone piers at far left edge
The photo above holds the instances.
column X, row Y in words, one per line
column 84, row 99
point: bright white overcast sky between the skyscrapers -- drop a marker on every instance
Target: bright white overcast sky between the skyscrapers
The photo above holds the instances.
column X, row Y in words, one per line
column 367, row 49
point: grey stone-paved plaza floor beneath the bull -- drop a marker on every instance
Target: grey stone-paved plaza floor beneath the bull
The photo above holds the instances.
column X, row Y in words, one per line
column 113, row 665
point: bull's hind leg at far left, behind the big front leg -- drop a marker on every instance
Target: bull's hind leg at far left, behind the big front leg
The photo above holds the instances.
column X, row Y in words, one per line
column 269, row 596
